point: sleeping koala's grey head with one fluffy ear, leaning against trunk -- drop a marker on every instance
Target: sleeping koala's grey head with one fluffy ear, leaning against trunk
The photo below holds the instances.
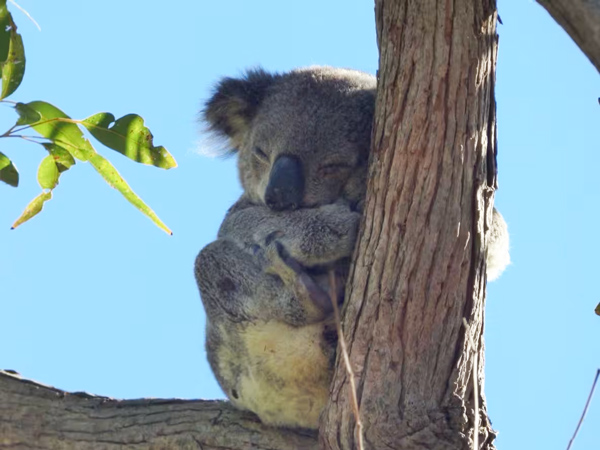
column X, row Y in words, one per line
column 303, row 137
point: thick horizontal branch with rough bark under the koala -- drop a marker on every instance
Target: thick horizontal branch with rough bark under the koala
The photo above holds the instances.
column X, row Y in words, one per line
column 34, row 416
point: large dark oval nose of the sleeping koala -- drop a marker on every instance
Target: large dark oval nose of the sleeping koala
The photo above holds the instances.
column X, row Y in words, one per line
column 286, row 184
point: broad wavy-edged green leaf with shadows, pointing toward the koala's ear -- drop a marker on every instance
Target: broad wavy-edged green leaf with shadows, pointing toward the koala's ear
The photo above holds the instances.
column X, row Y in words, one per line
column 130, row 137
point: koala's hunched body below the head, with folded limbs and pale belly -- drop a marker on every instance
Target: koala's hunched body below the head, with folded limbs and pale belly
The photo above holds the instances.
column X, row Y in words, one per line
column 270, row 339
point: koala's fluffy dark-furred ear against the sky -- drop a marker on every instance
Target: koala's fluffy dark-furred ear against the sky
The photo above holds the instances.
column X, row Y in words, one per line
column 235, row 101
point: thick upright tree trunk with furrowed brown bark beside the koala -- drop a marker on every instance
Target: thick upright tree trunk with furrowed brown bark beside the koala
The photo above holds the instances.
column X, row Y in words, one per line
column 420, row 265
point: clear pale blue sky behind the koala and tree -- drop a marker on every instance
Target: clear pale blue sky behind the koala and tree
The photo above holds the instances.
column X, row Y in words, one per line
column 96, row 298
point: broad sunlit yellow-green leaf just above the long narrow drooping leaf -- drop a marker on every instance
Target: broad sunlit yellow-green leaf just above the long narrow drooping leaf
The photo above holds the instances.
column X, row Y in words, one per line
column 55, row 125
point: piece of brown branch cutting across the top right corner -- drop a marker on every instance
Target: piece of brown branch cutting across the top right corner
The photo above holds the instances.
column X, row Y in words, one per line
column 581, row 20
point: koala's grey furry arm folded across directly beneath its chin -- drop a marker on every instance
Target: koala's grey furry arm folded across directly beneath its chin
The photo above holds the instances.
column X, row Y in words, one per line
column 311, row 236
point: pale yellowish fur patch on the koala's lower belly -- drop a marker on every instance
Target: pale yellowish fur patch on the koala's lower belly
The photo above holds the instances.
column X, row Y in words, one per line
column 287, row 383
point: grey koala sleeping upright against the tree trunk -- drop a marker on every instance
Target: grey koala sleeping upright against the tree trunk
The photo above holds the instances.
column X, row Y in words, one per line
column 302, row 140
